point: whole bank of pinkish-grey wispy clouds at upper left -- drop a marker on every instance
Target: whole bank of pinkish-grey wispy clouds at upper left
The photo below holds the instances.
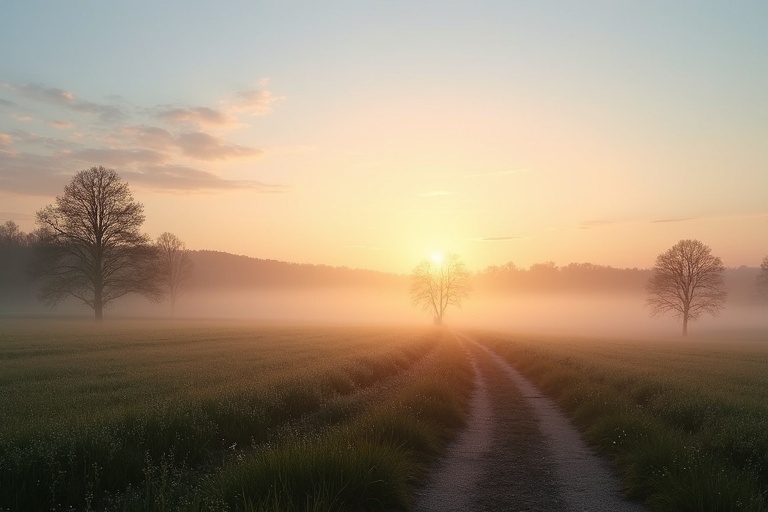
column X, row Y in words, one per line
column 157, row 146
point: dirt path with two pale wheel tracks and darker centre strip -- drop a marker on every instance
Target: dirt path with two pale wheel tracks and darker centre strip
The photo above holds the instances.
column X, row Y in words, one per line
column 518, row 452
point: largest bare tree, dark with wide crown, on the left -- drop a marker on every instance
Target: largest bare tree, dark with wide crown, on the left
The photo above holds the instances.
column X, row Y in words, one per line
column 90, row 244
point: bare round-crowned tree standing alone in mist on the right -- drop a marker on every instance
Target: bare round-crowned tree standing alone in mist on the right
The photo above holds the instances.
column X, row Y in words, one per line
column 688, row 281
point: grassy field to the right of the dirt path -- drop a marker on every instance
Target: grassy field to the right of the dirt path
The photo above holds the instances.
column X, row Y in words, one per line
column 685, row 421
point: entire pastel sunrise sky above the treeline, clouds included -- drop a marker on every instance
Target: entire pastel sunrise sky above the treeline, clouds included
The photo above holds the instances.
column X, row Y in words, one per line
column 373, row 134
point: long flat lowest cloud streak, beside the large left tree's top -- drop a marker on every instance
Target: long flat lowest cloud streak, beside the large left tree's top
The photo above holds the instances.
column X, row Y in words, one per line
column 172, row 177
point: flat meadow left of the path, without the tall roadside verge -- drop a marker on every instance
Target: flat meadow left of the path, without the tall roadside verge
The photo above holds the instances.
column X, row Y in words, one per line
column 144, row 417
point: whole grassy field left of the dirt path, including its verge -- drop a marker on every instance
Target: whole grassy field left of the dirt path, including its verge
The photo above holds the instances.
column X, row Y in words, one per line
column 127, row 416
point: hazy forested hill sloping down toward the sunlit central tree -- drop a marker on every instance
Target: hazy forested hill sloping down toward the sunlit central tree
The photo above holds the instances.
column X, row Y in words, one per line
column 213, row 269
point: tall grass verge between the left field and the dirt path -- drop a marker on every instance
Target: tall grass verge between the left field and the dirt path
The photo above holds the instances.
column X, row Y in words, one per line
column 370, row 462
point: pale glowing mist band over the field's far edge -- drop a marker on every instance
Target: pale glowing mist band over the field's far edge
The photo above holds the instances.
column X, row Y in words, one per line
column 608, row 314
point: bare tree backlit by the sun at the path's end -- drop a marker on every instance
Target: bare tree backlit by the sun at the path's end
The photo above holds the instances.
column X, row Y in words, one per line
column 437, row 285
